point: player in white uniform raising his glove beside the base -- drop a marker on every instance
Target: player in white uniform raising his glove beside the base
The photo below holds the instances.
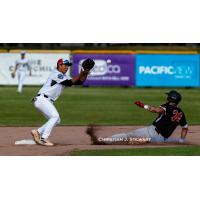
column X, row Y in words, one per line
column 51, row 90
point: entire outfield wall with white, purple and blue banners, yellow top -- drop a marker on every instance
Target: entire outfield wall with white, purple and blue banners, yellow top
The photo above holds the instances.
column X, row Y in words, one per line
column 113, row 68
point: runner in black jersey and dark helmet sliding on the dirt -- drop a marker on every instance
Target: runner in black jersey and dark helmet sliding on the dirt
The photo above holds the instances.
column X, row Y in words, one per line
column 169, row 117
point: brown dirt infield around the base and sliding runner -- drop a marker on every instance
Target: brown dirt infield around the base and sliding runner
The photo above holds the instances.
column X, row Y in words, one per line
column 69, row 138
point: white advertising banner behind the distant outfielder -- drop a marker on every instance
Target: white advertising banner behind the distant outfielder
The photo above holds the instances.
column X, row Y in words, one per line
column 41, row 65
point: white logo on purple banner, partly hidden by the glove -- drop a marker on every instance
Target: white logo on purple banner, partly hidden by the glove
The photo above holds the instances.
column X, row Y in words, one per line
column 103, row 67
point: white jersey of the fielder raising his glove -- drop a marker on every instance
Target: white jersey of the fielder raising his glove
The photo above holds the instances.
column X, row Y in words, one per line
column 52, row 88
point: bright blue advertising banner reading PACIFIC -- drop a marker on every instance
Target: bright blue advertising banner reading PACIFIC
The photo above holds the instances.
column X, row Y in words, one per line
column 167, row 70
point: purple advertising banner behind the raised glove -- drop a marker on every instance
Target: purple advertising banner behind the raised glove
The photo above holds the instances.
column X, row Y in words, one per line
column 109, row 70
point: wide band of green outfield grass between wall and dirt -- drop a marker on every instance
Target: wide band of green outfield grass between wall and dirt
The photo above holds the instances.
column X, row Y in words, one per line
column 98, row 105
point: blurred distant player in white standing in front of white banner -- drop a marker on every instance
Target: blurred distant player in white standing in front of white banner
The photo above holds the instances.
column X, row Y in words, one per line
column 21, row 67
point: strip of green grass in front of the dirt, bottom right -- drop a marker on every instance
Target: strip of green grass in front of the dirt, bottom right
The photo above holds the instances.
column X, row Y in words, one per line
column 165, row 151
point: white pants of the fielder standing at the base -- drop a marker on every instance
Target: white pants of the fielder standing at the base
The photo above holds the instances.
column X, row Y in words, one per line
column 46, row 107
